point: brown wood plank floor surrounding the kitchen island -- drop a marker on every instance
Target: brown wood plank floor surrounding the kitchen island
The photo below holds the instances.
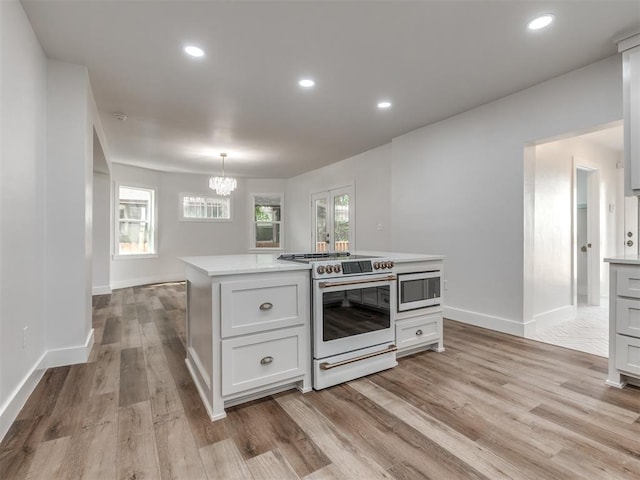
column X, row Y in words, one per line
column 492, row 406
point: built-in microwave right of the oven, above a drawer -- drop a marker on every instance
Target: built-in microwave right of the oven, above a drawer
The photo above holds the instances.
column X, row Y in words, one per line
column 418, row 290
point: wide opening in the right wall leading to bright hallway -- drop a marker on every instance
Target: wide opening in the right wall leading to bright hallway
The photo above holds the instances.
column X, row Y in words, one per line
column 578, row 212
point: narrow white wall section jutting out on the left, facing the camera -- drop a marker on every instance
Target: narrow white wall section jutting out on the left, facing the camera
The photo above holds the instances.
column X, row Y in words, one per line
column 69, row 179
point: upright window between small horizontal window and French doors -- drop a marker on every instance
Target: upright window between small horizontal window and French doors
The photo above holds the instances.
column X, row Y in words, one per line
column 266, row 224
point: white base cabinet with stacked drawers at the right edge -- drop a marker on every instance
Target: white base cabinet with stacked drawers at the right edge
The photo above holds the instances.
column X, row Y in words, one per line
column 624, row 323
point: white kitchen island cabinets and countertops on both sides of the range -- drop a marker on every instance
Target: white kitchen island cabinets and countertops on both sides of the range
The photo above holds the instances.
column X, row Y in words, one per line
column 249, row 331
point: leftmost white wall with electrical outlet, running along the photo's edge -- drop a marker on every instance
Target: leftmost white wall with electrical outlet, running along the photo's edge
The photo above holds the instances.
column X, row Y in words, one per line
column 22, row 209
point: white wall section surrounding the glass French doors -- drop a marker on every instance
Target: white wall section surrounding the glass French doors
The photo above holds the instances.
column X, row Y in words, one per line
column 371, row 174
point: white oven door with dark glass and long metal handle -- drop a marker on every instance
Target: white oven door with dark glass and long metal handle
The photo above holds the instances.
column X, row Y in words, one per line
column 353, row 313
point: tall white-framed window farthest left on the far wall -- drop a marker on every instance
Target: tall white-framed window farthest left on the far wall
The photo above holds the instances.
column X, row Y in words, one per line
column 136, row 221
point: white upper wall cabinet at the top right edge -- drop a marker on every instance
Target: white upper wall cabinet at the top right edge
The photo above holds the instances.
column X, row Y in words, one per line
column 630, row 48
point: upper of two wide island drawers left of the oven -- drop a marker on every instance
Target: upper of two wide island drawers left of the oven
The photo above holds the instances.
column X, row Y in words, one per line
column 256, row 306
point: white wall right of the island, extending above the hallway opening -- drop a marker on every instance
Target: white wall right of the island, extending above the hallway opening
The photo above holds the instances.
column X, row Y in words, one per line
column 458, row 188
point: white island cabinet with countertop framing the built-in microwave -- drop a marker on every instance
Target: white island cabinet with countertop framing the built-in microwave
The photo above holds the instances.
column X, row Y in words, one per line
column 420, row 328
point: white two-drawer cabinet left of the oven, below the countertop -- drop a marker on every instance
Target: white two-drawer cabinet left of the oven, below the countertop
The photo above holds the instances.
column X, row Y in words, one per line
column 248, row 335
